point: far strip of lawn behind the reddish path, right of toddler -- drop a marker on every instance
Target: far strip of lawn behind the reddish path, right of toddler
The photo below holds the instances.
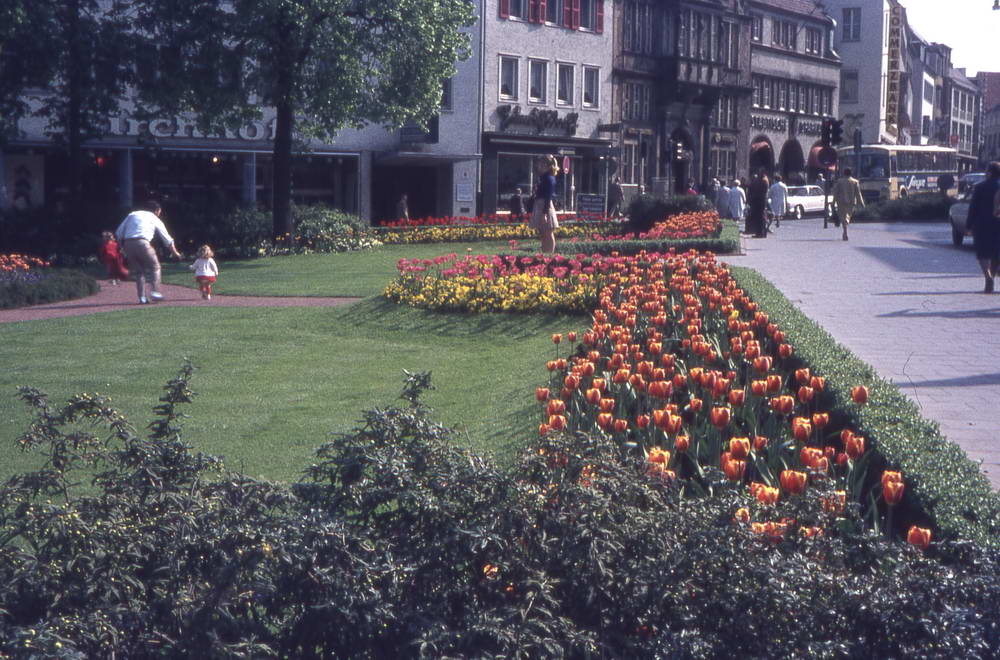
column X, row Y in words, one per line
column 364, row 273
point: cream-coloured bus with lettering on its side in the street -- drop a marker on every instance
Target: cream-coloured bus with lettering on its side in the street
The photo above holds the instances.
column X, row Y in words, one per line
column 888, row 171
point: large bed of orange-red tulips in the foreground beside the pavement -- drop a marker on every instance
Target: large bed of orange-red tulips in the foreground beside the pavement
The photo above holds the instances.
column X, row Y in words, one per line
column 680, row 364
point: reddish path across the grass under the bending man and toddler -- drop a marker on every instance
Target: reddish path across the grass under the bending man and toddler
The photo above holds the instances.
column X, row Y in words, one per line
column 123, row 297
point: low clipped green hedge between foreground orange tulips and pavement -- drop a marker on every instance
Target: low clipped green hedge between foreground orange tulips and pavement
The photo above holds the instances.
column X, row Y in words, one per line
column 943, row 483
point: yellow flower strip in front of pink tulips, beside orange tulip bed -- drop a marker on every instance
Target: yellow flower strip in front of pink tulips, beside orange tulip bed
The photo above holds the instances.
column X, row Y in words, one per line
column 512, row 293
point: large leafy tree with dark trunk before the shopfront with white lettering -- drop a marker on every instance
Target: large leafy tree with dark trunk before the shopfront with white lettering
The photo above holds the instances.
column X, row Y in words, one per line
column 323, row 65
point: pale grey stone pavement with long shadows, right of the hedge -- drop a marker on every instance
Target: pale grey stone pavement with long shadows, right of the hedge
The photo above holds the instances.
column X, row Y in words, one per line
column 906, row 301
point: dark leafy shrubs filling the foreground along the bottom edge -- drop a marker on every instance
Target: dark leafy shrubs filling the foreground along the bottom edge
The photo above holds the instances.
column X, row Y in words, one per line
column 401, row 545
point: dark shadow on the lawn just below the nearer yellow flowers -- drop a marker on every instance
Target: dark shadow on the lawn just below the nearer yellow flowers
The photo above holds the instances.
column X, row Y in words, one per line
column 377, row 311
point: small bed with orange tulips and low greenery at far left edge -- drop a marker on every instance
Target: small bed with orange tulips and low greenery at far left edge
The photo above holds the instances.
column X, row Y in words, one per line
column 26, row 280
